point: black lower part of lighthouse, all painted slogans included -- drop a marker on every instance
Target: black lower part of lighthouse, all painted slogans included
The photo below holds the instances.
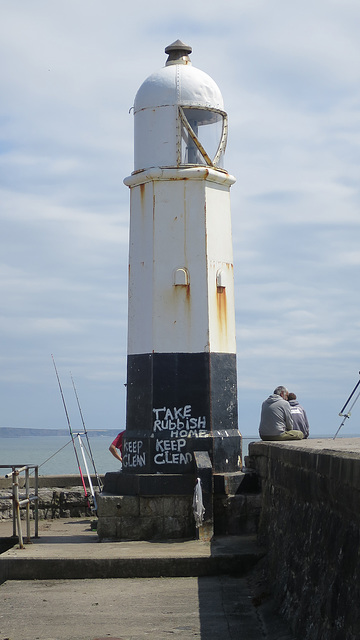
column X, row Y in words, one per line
column 179, row 403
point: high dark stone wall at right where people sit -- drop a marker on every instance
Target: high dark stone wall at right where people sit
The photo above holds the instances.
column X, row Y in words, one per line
column 310, row 526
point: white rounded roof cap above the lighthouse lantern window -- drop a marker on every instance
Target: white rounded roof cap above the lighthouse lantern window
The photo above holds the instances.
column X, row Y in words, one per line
column 178, row 84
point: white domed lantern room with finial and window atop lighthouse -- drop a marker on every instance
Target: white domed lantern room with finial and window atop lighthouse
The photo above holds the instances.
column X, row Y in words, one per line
column 179, row 116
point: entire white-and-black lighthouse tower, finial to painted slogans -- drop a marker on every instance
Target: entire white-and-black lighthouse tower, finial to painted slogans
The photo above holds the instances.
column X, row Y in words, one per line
column 181, row 367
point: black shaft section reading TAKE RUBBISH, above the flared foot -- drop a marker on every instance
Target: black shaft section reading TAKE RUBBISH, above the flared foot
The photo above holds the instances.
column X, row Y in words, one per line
column 204, row 382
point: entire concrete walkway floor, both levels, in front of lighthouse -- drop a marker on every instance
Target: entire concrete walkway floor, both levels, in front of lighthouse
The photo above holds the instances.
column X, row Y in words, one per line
column 220, row 596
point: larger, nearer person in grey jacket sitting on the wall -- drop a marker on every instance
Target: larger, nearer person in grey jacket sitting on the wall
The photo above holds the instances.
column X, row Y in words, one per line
column 276, row 422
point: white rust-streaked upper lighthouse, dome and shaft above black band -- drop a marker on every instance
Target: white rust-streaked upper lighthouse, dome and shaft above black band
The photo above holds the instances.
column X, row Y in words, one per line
column 181, row 285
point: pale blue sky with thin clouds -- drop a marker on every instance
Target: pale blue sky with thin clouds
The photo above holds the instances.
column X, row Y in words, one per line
column 289, row 73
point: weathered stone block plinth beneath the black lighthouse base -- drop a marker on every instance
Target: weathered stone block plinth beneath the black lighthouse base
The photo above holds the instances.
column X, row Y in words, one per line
column 231, row 502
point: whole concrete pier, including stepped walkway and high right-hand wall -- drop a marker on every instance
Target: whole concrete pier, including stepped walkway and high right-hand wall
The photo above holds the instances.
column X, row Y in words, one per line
column 303, row 562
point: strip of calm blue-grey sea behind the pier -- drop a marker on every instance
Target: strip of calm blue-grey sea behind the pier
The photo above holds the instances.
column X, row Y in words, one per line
column 55, row 455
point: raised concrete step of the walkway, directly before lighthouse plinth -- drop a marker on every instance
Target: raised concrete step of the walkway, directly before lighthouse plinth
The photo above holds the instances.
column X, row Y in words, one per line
column 69, row 549
